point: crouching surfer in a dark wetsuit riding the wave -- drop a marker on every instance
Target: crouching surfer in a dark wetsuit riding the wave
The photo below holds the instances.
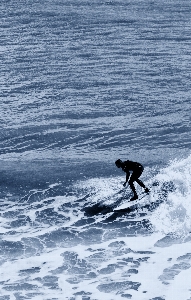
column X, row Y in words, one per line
column 136, row 169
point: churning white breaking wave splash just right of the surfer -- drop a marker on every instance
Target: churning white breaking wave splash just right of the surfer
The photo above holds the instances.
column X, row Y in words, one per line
column 174, row 215
